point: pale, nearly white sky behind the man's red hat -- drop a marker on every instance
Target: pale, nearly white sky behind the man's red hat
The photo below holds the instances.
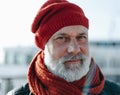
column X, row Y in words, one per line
column 17, row 15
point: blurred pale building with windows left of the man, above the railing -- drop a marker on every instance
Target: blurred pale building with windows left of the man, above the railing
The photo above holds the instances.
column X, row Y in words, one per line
column 19, row 55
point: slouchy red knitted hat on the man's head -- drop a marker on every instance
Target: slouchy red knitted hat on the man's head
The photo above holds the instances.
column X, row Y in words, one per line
column 52, row 16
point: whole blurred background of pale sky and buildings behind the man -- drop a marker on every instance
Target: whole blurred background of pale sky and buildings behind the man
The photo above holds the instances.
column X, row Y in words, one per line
column 17, row 46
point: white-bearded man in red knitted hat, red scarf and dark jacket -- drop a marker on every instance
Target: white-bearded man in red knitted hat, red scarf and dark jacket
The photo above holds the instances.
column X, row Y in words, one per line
column 64, row 65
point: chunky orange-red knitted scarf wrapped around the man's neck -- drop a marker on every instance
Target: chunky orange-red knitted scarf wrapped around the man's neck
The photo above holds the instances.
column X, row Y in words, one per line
column 43, row 82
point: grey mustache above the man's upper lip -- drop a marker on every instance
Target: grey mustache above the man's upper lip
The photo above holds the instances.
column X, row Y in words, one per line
column 73, row 57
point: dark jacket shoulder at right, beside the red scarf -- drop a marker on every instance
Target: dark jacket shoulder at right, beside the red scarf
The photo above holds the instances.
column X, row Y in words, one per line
column 111, row 87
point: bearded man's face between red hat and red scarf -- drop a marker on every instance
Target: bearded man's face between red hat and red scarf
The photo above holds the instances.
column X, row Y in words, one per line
column 67, row 53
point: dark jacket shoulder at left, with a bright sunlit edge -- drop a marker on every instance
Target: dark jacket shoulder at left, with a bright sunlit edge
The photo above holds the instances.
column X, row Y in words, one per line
column 23, row 90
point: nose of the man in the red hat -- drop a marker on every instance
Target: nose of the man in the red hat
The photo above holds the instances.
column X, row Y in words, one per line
column 73, row 47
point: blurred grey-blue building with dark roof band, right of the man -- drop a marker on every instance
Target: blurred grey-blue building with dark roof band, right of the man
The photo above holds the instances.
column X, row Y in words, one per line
column 107, row 56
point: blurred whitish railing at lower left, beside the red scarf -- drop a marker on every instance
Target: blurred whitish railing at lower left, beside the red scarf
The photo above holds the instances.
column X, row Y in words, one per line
column 11, row 76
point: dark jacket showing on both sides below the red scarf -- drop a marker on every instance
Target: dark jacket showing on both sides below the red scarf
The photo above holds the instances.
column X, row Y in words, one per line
column 110, row 88
